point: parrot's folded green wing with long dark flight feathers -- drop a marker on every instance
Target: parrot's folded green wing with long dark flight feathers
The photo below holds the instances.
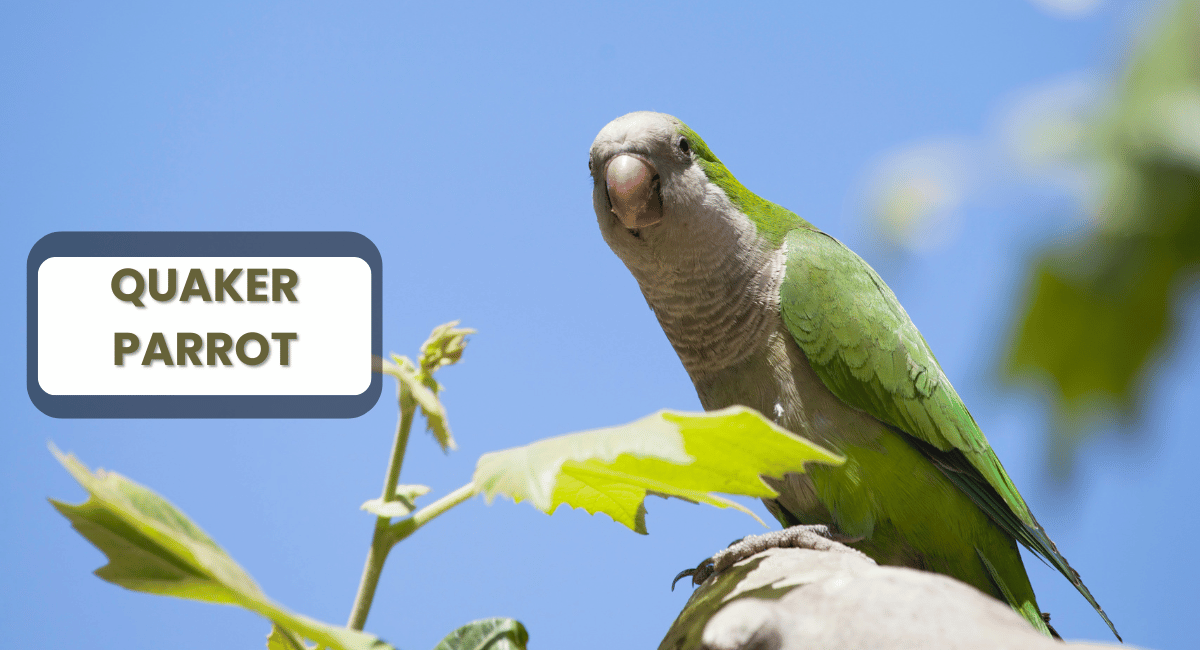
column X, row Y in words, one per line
column 868, row 353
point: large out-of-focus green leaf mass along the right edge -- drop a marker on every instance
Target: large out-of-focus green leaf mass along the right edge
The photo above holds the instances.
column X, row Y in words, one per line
column 1100, row 310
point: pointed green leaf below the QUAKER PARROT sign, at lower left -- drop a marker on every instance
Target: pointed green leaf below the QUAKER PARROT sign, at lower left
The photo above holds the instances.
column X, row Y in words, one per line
column 155, row 549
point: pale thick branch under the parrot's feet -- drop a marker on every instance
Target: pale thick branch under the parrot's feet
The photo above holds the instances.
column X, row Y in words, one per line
column 791, row 599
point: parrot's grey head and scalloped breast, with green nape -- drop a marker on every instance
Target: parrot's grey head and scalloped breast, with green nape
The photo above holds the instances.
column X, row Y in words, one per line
column 674, row 214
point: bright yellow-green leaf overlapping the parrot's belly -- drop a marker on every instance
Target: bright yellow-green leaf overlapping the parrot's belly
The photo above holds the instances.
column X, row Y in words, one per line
column 669, row 454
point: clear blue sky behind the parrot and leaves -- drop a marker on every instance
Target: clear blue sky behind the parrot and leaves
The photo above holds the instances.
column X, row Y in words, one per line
column 455, row 139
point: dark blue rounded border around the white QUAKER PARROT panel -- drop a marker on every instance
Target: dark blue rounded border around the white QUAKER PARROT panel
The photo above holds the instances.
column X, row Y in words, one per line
column 209, row 244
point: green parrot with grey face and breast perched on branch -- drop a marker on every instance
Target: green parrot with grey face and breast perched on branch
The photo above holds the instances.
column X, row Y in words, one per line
column 770, row 312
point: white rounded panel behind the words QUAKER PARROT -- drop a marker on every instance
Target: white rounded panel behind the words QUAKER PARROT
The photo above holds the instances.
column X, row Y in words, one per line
column 80, row 316
